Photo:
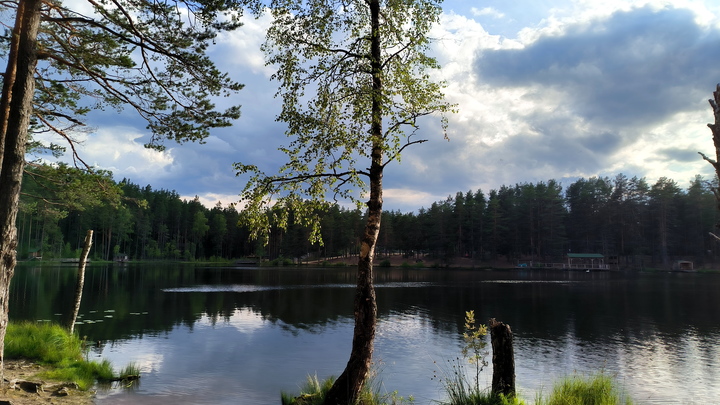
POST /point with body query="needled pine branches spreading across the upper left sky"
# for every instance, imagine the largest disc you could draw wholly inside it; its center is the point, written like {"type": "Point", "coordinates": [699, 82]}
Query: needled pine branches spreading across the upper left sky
{"type": "Point", "coordinates": [149, 56]}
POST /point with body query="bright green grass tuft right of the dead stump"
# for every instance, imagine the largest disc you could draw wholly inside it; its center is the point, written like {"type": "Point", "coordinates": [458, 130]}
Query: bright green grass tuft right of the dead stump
{"type": "Point", "coordinates": [599, 389]}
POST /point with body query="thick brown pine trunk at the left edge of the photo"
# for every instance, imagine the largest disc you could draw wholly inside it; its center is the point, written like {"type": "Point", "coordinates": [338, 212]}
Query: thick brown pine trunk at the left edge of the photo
{"type": "Point", "coordinates": [21, 64]}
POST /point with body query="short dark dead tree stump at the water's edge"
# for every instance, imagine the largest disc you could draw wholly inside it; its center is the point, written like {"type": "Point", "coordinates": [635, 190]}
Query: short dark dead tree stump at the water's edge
{"type": "Point", "coordinates": [503, 358]}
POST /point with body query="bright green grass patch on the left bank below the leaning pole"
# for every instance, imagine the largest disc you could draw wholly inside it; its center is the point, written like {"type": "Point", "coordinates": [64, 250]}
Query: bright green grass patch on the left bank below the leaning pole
{"type": "Point", "coordinates": [53, 346]}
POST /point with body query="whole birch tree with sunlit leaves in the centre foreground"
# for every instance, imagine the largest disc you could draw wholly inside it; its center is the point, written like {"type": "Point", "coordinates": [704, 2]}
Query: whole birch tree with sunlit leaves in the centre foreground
{"type": "Point", "coordinates": [354, 79]}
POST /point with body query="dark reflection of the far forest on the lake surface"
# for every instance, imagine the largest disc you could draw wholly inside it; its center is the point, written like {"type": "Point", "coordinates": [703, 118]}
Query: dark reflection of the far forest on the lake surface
{"type": "Point", "coordinates": [591, 307]}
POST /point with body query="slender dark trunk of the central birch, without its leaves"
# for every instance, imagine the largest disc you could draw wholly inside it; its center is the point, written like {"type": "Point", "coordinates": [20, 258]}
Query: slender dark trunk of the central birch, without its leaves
{"type": "Point", "coordinates": [351, 381]}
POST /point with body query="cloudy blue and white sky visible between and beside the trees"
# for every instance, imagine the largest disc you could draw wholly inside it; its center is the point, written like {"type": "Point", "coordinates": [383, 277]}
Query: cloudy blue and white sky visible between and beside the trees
{"type": "Point", "coordinates": [545, 90]}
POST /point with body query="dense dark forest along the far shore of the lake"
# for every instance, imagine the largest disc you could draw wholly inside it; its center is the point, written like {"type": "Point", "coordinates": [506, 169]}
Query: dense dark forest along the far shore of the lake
{"type": "Point", "coordinates": [640, 223]}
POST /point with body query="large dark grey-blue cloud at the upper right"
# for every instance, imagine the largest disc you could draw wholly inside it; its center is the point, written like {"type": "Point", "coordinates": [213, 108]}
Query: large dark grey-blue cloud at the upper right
{"type": "Point", "coordinates": [632, 68]}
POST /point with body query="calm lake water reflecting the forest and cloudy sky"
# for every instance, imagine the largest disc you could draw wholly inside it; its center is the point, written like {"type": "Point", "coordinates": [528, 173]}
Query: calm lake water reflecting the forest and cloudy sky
{"type": "Point", "coordinates": [221, 335]}
